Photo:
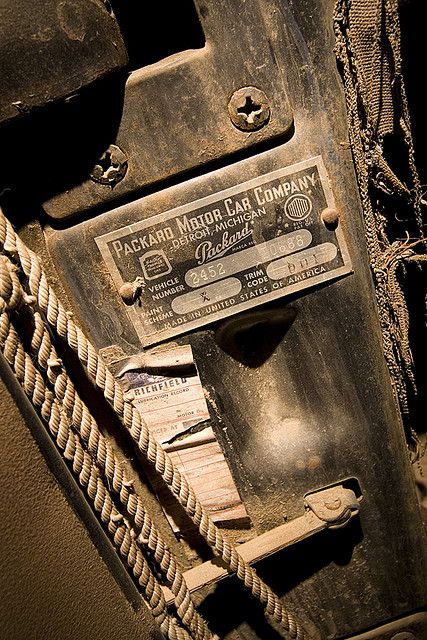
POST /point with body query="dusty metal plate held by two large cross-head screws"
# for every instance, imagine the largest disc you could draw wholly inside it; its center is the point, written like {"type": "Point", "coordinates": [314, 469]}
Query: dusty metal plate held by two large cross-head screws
{"type": "Point", "coordinates": [175, 114]}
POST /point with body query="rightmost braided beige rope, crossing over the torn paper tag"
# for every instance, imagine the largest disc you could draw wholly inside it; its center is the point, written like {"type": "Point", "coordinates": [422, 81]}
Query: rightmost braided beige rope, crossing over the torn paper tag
{"type": "Point", "coordinates": [63, 324]}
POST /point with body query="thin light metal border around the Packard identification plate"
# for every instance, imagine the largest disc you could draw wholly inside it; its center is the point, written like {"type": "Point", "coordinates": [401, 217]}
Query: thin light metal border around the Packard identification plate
{"type": "Point", "coordinates": [148, 339]}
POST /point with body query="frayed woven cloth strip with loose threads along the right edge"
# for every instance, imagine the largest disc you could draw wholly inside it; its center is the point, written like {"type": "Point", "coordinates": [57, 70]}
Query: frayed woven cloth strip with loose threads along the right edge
{"type": "Point", "coordinates": [368, 50]}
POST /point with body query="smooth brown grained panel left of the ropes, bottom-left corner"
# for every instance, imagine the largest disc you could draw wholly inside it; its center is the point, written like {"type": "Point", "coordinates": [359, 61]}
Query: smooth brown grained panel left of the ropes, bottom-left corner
{"type": "Point", "coordinates": [54, 585]}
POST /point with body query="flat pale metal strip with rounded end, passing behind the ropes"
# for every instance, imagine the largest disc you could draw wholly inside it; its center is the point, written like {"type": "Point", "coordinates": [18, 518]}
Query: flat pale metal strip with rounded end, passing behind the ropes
{"type": "Point", "coordinates": [330, 508]}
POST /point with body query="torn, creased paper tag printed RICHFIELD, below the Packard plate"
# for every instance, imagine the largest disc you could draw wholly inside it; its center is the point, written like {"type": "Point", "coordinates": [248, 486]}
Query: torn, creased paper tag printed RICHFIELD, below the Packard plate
{"type": "Point", "coordinates": [175, 410]}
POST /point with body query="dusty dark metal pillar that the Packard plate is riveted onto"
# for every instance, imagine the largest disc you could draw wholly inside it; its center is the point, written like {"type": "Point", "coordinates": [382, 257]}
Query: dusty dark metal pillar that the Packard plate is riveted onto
{"type": "Point", "coordinates": [298, 391]}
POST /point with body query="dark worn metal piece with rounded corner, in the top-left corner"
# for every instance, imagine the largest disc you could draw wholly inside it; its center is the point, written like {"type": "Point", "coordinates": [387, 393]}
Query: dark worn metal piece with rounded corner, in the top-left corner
{"type": "Point", "coordinates": [51, 48]}
